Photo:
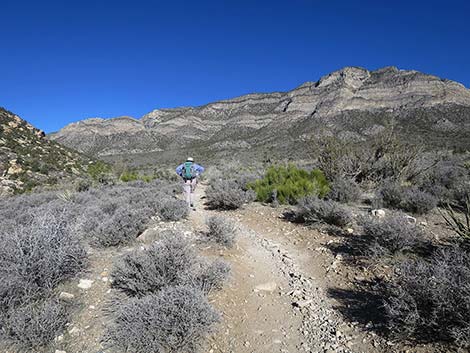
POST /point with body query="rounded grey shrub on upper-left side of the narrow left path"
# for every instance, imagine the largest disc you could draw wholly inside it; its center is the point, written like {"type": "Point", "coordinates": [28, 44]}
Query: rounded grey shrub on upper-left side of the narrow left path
{"type": "Point", "coordinates": [122, 227]}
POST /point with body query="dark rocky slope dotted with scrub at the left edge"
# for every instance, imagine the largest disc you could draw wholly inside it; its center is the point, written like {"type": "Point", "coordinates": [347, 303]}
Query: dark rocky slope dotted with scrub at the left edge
{"type": "Point", "coordinates": [28, 159]}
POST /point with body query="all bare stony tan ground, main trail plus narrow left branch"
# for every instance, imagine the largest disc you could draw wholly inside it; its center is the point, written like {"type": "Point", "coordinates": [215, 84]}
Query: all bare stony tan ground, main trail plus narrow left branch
{"type": "Point", "coordinates": [277, 299]}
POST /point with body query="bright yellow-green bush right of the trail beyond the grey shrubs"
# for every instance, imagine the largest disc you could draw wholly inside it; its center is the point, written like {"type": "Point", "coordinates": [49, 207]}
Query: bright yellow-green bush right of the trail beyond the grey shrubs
{"type": "Point", "coordinates": [289, 184]}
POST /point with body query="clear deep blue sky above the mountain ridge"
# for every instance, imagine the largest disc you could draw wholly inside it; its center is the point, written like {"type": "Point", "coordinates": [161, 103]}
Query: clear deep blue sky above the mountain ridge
{"type": "Point", "coordinates": [62, 61]}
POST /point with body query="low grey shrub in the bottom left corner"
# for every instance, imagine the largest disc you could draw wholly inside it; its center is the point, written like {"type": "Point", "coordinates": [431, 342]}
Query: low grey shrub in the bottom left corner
{"type": "Point", "coordinates": [34, 324]}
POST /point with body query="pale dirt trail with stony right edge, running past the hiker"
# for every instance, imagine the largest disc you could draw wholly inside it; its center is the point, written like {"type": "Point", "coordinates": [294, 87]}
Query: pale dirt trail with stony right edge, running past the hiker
{"type": "Point", "coordinates": [292, 312]}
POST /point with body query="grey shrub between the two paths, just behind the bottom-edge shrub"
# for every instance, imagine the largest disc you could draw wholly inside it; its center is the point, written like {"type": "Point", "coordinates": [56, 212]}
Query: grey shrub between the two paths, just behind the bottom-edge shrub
{"type": "Point", "coordinates": [169, 261]}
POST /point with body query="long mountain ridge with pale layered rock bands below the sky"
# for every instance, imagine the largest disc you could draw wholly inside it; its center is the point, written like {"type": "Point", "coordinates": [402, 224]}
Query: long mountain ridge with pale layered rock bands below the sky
{"type": "Point", "coordinates": [352, 103]}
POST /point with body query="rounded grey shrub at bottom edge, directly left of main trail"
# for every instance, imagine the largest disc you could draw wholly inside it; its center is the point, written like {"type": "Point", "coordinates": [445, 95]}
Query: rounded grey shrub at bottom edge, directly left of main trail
{"type": "Point", "coordinates": [175, 319]}
